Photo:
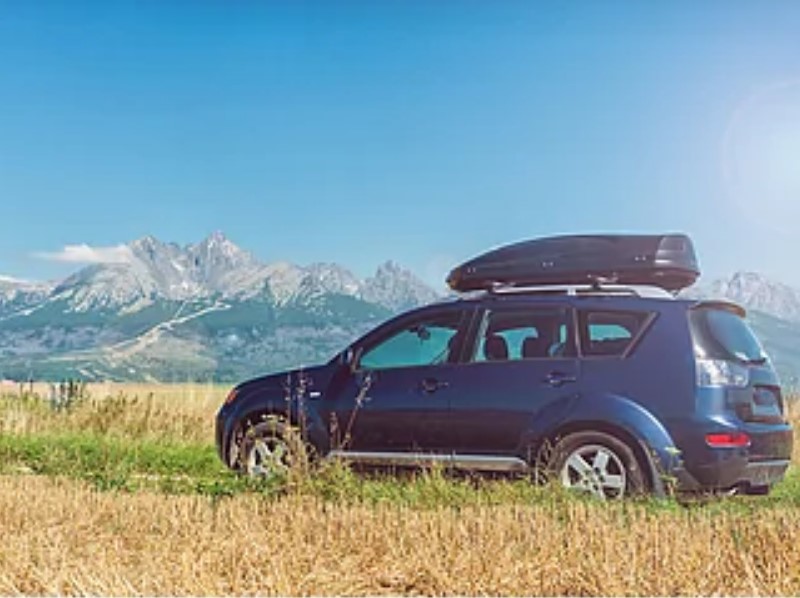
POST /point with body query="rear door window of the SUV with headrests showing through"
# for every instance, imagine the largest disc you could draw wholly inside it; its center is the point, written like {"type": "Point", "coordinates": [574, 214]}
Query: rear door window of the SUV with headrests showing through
{"type": "Point", "coordinates": [509, 334]}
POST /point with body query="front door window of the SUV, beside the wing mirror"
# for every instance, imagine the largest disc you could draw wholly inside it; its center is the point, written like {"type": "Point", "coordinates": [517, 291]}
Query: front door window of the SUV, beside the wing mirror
{"type": "Point", "coordinates": [425, 341]}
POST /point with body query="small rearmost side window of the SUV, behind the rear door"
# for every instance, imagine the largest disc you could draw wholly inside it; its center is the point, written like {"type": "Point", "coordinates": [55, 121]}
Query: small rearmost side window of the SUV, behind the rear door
{"type": "Point", "coordinates": [609, 333]}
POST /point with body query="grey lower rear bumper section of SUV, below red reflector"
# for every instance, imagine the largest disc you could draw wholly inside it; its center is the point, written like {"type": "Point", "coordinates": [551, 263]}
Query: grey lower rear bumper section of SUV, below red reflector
{"type": "Point", "coordinates": [733, 474]}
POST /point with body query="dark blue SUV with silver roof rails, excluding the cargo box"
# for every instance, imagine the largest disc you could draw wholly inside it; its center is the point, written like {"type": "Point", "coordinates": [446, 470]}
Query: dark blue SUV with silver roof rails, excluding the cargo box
{"type": "Point", "coordinates": [614, 389]}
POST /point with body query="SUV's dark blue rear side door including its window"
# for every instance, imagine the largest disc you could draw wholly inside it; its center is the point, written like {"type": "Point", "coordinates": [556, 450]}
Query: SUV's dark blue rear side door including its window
{"type": "Point", "coordinates": [521, 359]}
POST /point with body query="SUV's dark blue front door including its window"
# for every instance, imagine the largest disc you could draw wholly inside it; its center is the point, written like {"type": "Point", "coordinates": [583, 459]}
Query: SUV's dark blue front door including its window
{"type": "Point", "coordinates": [398, 397]}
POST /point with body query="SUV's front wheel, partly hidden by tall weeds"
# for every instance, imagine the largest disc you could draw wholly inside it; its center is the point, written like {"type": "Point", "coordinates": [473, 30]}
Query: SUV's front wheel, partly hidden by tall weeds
{"type": "Point", "coordinates": [271, 449]}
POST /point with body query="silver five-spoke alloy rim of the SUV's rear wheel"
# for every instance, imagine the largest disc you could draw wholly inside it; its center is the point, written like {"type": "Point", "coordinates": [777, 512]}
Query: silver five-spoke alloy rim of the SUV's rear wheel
{"type": "Point", "coordinates": [595, 469]}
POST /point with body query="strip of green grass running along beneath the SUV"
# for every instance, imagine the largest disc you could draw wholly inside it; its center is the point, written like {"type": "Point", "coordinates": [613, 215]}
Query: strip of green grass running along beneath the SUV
{"type": "Point", "coordinates": [118, 464]}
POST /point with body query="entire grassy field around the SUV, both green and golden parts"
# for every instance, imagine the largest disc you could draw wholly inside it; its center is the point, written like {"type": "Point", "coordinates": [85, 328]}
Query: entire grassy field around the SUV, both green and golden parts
{"type": "Point", "coordinates": [123, 494]}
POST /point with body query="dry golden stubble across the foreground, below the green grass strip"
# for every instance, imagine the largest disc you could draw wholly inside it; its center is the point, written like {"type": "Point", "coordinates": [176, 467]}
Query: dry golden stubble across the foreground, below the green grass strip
{"type": "Point", "coordinates": [60, 538]}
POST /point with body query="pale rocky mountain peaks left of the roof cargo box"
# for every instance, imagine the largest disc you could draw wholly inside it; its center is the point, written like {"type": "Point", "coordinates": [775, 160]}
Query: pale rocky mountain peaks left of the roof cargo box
{"type": "Point", "coordinates": [217, 267]}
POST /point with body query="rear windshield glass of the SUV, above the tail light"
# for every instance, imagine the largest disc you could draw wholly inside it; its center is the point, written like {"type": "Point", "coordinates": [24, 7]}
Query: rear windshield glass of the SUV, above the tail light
{"type": "Point", "coordinates": [723, 334]}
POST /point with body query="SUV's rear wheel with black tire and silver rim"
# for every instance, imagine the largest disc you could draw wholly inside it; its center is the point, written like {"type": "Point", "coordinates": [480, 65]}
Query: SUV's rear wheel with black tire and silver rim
{"type": "Point", "coordinates": [598, 464]}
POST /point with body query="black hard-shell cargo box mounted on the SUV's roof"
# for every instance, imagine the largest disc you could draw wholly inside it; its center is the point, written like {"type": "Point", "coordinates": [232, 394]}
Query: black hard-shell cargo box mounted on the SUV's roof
{"type": "Point", "coordinates": [665, 261]}
